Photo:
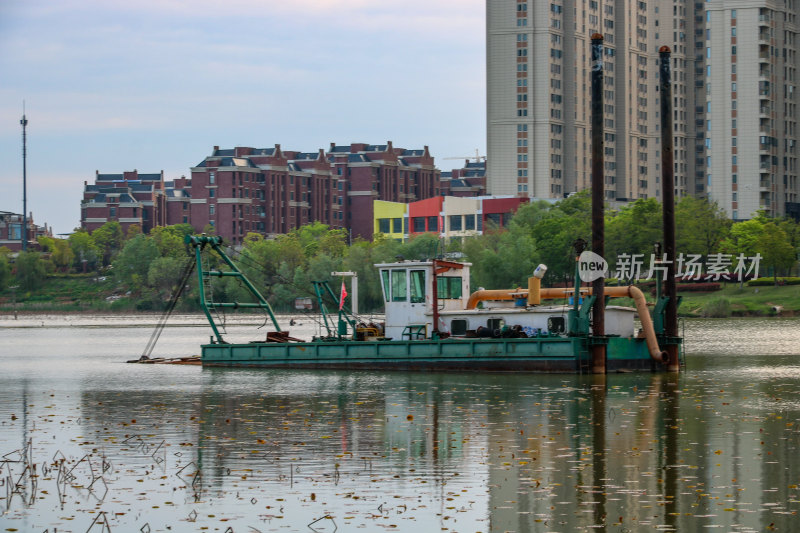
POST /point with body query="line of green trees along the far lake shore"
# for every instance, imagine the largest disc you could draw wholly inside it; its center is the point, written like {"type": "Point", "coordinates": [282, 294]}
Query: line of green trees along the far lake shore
{"type": "Point", "coordinates": [146, 268]}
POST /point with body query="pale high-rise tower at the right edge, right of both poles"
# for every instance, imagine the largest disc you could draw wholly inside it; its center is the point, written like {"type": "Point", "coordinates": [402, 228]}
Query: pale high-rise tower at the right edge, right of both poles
{"type": "Point", "coordinates": [752, 80]}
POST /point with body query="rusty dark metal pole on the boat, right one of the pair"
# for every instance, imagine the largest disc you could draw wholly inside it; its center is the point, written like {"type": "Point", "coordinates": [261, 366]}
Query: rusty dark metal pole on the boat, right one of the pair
{"type": "Point", "coordinates": [668, 203]}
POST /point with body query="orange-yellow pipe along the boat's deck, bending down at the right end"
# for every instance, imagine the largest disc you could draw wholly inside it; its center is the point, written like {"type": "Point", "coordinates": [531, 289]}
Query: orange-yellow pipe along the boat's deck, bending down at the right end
{"type": "Point", "coordinates": [615, 292]}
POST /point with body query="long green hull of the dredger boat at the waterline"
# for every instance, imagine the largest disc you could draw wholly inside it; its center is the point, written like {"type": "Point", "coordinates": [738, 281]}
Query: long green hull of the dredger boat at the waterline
{"type": "Point", "coordinates": [544, 354]}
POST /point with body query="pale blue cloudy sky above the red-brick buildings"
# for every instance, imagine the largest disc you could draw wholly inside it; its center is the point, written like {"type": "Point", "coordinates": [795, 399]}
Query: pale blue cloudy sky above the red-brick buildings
{"type": "Point", "coordinates": [114, 85]}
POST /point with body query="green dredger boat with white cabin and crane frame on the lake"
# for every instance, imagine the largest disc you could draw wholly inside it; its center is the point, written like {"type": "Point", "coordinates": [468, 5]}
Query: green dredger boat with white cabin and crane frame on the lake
{"type": "Point", "coordinates": [432, 322]}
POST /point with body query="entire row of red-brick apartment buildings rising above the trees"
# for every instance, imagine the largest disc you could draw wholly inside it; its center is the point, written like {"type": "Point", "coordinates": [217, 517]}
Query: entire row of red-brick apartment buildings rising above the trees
{"type": "Point", "coordinates": [267, 190]}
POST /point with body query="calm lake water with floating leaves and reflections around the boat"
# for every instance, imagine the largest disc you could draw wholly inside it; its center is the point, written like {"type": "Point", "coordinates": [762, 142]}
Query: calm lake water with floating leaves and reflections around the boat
{"type": "Point", "coordinates": [89, 443]}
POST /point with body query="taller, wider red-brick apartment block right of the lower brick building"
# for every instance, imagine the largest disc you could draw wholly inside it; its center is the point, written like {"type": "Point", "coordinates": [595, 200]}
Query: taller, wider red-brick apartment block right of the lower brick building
{"type": "Point", "coordinates": [272, 191]}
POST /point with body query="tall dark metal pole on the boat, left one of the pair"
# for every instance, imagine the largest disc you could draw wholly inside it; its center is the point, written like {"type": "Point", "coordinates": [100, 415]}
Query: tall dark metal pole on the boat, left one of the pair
{"type": "Point", "coordinates": [598, 198]}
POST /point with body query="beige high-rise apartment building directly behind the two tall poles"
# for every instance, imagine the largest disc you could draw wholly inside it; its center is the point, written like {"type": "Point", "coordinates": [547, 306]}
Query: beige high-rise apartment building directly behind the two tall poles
{"type": "Point", "coordinates": [538, 95]}
